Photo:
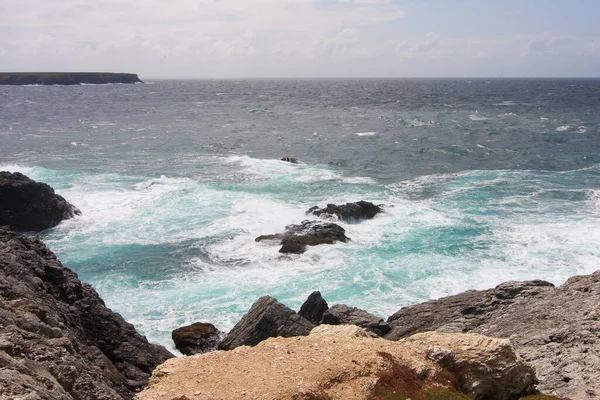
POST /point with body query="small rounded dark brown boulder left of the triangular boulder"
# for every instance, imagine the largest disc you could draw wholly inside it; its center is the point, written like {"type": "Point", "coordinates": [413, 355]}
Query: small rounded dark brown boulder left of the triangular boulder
{"type": "Point", "coordinates": [196, 338]}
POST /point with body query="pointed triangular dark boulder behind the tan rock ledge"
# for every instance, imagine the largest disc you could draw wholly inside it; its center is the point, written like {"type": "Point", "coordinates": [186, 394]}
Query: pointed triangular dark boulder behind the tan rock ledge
{"type": "Point", "coordinates": [266, 318]}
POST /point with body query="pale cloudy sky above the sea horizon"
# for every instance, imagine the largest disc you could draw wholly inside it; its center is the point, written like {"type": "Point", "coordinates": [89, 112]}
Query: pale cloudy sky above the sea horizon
{"type": "Point", "coordinates": [303, 38]}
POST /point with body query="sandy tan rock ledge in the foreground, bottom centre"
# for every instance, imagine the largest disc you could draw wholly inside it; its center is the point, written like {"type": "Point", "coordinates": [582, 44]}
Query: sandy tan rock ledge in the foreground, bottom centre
{"type": "Point", "coordinates": [343, 362]}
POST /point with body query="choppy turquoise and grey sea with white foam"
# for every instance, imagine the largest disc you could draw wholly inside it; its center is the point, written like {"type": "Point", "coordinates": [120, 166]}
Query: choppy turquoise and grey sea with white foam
{"type": "Point", "coordinates": [483, 181]}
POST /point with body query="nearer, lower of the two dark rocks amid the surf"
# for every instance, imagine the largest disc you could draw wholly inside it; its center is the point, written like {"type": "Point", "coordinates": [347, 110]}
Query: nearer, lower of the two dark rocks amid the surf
{"type": "Point", "coordinates": [308, 233]}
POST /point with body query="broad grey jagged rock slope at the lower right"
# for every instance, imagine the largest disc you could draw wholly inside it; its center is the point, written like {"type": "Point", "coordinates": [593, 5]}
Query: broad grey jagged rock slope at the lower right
{"type": "Point", "coordinates": [556, 330]}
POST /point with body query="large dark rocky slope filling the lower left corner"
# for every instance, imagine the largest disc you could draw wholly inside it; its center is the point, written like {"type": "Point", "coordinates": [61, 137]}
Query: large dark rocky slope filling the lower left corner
{"type": "Point", "coordinates": [57, 338]}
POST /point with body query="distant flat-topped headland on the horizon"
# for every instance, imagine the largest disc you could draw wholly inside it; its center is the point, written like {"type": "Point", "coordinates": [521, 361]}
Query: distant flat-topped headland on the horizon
{"type": "Point", "coordinates": [65, 78]}
